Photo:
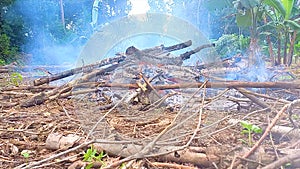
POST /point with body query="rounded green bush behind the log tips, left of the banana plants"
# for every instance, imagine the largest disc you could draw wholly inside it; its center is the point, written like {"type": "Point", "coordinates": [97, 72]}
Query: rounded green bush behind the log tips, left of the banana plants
{"type": "Point", "coordinates": [231, 44]}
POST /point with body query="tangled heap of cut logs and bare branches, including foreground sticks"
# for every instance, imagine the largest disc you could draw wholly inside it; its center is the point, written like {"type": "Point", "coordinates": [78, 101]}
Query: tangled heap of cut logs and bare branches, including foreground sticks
{"type": "Point", "coordinates": [95, 77]}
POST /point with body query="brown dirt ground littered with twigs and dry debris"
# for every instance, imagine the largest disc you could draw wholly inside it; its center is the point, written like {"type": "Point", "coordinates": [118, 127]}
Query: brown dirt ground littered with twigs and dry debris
{"type": "Point", "coordinates": [209, 124]}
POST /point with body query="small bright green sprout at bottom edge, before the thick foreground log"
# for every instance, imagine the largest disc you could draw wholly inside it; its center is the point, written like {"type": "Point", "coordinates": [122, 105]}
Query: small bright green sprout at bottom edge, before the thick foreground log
{"type": "Point", "coordinates": [91, 156]}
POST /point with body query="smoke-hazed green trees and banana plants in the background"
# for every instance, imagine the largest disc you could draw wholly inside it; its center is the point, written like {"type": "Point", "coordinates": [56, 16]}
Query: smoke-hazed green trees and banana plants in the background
{"type": "Point", "coordinates": [33, 26]}
